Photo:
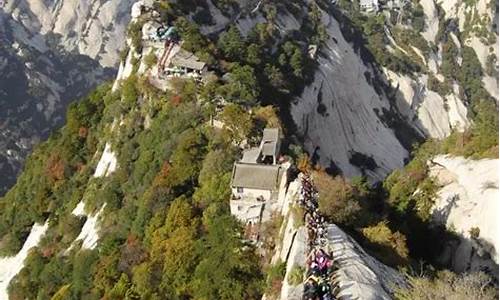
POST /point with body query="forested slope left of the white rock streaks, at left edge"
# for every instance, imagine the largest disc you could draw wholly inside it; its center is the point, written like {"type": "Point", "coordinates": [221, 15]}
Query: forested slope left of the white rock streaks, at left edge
{"type": "Point", "coordinates": [56, 167]}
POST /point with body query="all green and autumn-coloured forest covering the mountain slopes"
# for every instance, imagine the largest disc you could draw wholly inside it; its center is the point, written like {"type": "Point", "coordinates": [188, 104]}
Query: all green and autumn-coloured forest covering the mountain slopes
{"type": "Point", "coordinates": [166, 230]}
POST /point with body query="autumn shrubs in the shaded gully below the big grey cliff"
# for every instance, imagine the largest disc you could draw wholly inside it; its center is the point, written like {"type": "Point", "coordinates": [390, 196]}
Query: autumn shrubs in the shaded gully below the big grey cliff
{"type": "Point", "coordinates": [393, 220]}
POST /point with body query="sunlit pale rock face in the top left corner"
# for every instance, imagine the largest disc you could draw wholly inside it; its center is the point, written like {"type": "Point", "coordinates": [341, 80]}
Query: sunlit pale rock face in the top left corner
{"type": "Point", "coordinates": [93, 28]}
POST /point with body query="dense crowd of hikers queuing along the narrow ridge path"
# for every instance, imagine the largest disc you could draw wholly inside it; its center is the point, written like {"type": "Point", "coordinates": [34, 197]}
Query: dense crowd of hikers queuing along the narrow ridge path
{"type": "Point", "coordinates": [320, 267]}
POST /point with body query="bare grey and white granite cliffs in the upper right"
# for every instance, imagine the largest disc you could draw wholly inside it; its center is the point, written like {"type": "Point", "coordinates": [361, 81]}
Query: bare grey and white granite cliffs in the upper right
{"type": "Point", "coordinates": [357, 120]}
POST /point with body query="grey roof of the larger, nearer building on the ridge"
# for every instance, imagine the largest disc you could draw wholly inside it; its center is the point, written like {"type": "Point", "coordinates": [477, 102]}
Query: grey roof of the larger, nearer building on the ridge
{"type": "Point", "coordinates": [264, 177]}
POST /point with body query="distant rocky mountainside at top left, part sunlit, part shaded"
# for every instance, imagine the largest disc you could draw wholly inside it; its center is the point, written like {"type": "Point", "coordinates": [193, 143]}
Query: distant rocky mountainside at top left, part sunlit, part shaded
{"type": "Point", "coordinates": [51, 53]}
